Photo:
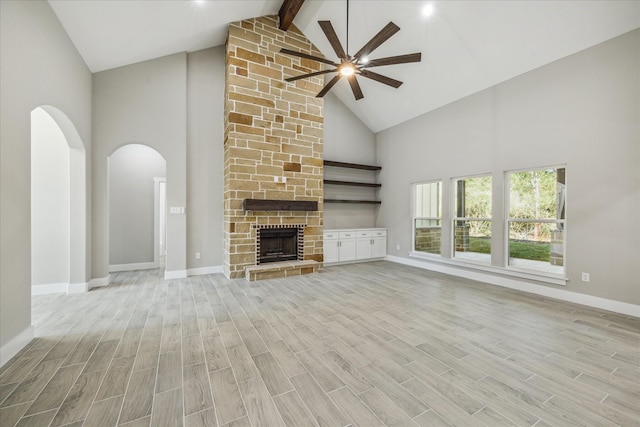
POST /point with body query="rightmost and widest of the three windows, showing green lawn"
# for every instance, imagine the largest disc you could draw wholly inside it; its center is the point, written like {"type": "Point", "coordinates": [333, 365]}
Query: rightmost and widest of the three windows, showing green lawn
{"type": "Point", "coordinates": [536, 222]}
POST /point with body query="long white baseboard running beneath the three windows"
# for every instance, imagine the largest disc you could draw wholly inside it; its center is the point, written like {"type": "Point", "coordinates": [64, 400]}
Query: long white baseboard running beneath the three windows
{"type": "Point", "coordinates": [561, 294]}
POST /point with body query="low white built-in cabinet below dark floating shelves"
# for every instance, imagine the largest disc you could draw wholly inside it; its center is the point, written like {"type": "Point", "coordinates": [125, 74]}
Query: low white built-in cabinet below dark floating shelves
{"type": "Point", "coordinates": [354, 244]}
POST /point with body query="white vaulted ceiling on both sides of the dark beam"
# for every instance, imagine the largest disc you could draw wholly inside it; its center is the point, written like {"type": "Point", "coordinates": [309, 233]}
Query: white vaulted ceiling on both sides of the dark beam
{"type": "Point", "coordinates": [466, 46]}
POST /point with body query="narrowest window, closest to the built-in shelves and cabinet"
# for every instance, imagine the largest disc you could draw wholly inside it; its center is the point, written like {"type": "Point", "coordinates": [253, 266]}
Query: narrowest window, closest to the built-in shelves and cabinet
{"type": "Point", "coordinates": [427, 217]}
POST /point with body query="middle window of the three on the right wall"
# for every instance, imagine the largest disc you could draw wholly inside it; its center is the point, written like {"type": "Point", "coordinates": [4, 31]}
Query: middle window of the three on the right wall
{"type": "Point", "coordinates": [472, 219]}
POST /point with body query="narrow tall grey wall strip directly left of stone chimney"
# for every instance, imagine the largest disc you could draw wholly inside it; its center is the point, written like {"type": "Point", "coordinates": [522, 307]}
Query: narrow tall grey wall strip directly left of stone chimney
{"type": "Point", "coordinates": [205, 157]}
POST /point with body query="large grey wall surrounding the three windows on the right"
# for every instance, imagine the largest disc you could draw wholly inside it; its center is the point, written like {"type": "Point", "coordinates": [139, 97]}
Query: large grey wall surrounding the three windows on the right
{"type": "Point", "coordinates": [582, 111]}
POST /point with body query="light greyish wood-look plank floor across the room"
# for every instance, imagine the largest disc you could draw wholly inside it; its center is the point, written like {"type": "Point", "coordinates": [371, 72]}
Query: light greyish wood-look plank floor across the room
{"type": "Point", "coordinates": [363, 345]}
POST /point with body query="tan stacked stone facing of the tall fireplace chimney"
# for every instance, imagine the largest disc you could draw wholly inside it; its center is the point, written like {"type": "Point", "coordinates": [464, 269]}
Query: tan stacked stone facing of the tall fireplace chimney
{"type": "Point", "coordinates": [273, 129]}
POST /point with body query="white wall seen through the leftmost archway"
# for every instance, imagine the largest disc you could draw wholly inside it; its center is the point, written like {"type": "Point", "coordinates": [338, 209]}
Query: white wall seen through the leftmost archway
{"type": "Point", "coordinates": [50, 201]}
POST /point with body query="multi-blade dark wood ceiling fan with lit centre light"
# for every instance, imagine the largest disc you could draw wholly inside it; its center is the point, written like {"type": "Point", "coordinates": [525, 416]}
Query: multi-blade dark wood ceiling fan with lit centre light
{"type": "Point", "coordinates": [358, 64]}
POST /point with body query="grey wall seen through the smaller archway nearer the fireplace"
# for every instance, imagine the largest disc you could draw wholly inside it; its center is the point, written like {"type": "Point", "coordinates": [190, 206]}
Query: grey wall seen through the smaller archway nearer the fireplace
{"type": "Point", "coordinates": [132, 169]}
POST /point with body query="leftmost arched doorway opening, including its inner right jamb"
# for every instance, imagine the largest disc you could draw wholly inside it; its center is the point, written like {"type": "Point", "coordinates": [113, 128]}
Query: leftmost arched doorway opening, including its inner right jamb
{"type": "Point", "coordinates": [58, 204]}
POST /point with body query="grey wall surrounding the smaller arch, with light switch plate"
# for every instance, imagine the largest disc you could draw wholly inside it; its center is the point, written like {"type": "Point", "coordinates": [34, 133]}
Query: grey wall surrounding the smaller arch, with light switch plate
{"type": "Point", "coordinates": [143, 103]}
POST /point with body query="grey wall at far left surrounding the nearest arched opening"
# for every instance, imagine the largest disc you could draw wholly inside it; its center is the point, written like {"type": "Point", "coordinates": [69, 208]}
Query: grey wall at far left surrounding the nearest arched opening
{"type": "Point", "coordinates": [30, 37]}
